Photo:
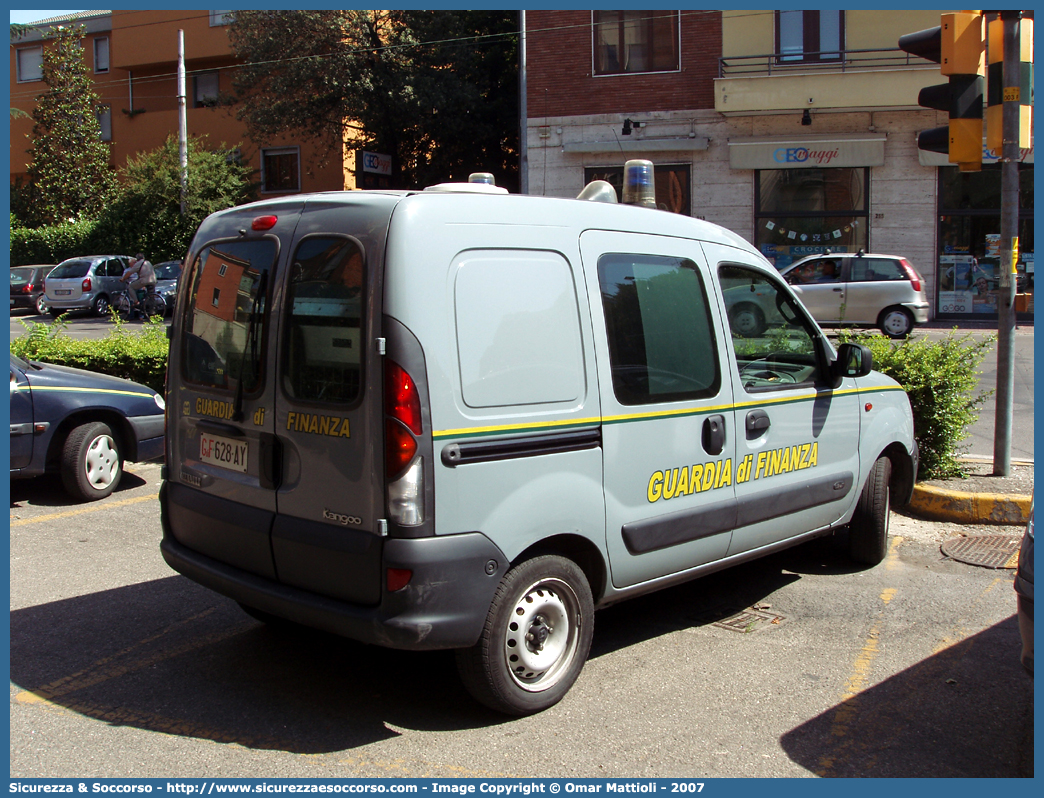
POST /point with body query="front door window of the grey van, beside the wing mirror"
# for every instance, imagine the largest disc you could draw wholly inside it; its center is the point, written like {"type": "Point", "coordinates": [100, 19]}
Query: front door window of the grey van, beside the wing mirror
{"type": "Point", "coordinates": [772, 338]}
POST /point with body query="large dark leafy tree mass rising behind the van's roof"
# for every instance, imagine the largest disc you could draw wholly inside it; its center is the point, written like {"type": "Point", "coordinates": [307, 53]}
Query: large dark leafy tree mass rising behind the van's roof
{"type": "Point", "coordinates": [439, 90]}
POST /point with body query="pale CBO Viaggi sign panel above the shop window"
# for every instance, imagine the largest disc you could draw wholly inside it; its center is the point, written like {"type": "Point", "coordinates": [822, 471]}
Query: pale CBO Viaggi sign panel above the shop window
{"type": "Point", "coordinates": [806, 153]}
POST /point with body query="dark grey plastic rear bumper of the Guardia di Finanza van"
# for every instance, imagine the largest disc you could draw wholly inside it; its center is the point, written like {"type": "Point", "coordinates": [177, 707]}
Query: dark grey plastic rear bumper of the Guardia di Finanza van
{"type": "Point", "coordinates": [444, 606]}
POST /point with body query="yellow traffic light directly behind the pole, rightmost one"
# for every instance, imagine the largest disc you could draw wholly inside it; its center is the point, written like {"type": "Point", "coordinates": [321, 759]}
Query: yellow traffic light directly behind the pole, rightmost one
{"type": "Point", "coordinates": [996, 90]}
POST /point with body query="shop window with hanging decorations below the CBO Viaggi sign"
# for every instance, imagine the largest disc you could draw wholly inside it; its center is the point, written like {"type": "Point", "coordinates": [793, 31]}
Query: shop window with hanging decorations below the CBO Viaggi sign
{"type": "Point", "coordinates": [801, 213]}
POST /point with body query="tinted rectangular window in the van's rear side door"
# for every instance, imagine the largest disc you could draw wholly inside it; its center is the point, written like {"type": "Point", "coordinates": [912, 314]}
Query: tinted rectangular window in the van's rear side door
{"type": "Point", "coordinates": [661, 338]}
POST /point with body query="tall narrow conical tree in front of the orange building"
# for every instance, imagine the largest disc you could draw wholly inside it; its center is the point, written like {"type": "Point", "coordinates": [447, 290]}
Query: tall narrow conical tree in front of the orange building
{"type": "Point", "coordinates": [69, 162]}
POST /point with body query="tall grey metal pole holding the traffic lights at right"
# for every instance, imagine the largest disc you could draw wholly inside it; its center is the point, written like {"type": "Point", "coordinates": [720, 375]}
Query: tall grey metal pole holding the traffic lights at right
{"type": "Point", "coordinates": [1009, 234]}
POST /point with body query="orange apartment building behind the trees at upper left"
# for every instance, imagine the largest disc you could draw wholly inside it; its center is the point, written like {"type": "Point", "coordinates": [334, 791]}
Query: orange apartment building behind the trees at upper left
{"type": "Point", "coordinates": [133, 57]}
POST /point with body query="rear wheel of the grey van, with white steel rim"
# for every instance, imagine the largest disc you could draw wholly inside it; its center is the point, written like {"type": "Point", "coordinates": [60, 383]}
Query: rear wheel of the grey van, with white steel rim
{"type": "Point", "coordinates": [536, 640]}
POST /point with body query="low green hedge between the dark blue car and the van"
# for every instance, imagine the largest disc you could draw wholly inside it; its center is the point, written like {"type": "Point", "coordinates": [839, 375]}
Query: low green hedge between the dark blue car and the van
{"type": "Point", "coordinates": [137, 356]}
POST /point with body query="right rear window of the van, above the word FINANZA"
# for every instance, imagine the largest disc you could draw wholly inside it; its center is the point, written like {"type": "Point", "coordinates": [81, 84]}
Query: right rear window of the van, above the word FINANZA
{"type": "Point", "coordinates": [322, 360]}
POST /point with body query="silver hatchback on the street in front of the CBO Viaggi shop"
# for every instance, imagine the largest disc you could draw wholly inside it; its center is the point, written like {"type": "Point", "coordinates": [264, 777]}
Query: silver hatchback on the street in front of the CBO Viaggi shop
{"type": "Point", "coordinates": [880, 291]}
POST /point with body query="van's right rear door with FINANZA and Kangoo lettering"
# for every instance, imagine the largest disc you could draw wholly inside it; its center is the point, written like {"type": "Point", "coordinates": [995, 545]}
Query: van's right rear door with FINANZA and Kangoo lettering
{"type": "Point", "coordinates": [328, 414]}
